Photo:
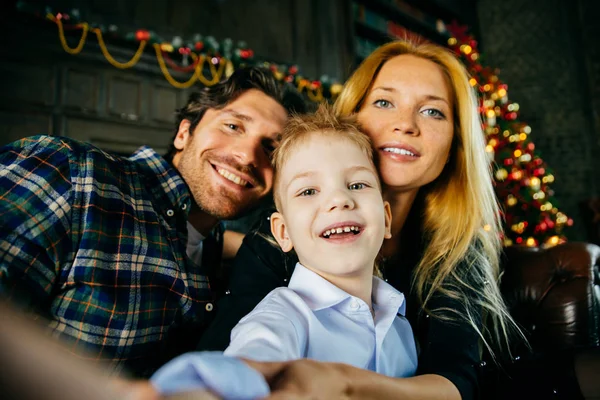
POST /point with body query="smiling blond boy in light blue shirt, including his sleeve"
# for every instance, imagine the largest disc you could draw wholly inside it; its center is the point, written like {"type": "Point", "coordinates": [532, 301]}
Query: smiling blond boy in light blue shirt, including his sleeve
{"type": "Point", "coordinates": [331, 212]}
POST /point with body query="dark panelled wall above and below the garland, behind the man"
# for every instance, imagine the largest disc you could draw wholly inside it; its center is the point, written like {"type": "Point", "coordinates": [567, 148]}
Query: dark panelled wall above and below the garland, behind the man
{"type": "Point", "coordinates": [47, 91]}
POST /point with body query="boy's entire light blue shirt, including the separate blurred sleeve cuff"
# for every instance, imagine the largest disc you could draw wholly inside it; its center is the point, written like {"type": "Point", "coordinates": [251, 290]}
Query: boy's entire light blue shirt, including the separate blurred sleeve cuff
{"type": "Point", "coordinates": [311, 318]}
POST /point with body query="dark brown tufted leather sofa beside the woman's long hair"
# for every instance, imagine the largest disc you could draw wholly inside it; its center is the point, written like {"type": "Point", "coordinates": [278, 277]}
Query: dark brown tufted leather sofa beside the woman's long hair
{"type": "Point", "coordinates": [554, 295]}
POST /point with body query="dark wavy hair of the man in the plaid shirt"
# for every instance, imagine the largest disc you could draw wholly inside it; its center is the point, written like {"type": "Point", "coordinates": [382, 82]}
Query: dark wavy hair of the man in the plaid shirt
{"type": "Point", "coordinates": [220, 95]}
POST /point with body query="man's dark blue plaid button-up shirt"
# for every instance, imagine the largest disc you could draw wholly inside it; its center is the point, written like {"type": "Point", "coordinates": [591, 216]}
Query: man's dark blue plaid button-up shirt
{"type": "Point", "coordinates": [96, 243]}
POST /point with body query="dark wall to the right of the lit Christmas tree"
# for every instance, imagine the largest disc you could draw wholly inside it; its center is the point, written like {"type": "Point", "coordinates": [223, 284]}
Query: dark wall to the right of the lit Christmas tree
{"type": "Point", "coordinates": [547, 53]}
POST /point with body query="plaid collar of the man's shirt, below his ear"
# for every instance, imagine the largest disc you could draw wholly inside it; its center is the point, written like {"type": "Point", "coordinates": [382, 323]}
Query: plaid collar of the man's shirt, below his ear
{"type": "Point", "coordinates": [163, 177]}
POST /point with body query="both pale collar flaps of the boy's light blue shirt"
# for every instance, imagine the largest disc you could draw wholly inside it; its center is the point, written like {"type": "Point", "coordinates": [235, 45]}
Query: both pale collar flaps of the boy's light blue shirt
{"type": "Point", "coordinates": [319, 293]}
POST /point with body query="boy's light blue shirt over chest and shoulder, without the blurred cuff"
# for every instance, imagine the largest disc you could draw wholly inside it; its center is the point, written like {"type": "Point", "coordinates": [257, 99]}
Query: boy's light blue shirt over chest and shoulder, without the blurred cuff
{"type": "Point", "coordinates": [312, 318]}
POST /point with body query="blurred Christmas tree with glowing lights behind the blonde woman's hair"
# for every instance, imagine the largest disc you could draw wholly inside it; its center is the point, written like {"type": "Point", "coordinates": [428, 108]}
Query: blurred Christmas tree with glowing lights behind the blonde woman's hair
{"type": "Point", "coordinates": [521, 178]}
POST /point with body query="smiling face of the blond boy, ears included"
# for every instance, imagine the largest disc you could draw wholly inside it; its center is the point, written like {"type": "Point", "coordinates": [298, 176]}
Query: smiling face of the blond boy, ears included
{"type": "Point", "coordinates": [332, 210]}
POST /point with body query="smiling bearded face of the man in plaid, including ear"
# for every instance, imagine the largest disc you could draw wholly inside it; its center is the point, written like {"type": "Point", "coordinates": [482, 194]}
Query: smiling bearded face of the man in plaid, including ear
{"type": "Point", "coordinates": [226, 161]}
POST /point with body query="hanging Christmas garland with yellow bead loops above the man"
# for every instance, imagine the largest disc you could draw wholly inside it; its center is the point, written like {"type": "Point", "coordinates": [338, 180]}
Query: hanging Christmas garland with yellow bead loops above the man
{"type": "Point", "coordinates": [207, 55]}
